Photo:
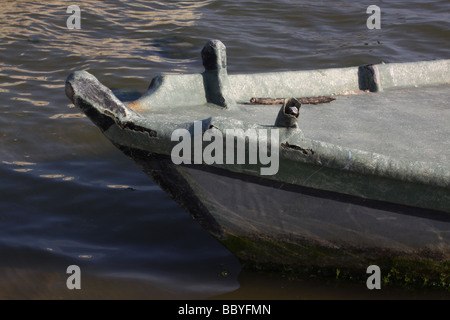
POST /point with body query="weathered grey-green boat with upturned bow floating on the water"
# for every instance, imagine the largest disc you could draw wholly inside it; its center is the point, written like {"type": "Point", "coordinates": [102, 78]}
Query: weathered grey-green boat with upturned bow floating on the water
{"type": "Point", "coordinates": [332, 169]}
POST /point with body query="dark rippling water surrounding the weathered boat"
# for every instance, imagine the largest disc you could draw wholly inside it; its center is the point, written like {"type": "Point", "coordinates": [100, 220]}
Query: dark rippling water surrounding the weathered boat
{"type": "Point", "coordinates": [68, 197]}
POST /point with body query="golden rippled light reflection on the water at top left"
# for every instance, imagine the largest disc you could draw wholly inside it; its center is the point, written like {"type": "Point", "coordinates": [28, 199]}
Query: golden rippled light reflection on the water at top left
{"type": "Point", "coordinates": [125, 30]}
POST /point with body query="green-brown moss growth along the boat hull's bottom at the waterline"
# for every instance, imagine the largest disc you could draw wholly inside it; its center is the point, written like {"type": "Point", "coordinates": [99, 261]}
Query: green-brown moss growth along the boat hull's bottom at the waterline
{"type": "Point", "coordinates": [296, 260]}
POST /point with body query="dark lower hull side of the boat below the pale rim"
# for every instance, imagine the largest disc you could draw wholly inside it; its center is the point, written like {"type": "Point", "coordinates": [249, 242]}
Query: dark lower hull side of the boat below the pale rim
{"type": "Point", "coordinates": [302, 231]}
